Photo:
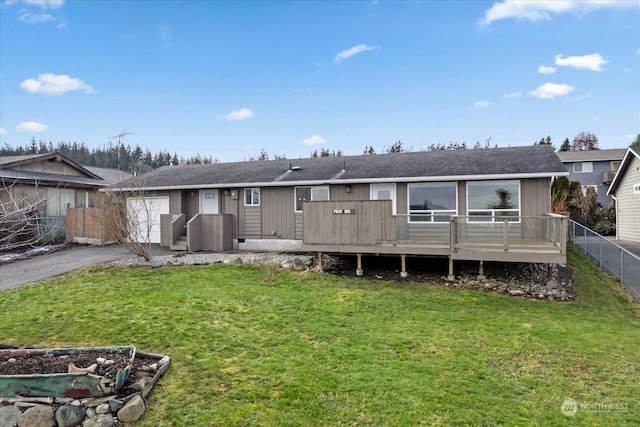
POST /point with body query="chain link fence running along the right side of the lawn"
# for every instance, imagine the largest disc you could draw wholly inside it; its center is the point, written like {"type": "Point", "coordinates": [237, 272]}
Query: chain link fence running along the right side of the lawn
{"type": "Point", "coordinates": [609, 256]}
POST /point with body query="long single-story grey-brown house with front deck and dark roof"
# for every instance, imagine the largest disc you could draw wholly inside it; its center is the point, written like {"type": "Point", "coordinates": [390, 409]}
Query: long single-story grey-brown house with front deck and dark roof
{"type": "Point", "coordinates": [434, 200]}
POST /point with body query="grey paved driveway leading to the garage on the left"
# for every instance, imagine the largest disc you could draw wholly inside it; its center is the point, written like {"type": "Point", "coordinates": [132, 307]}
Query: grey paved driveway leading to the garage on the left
{"type": "Point", "coordinates": [59, 262]}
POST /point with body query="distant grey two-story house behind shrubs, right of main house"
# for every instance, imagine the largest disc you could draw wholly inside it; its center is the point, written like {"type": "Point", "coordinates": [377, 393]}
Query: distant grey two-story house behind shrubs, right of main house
{"type": "Point", "coordinates": [593, 168]}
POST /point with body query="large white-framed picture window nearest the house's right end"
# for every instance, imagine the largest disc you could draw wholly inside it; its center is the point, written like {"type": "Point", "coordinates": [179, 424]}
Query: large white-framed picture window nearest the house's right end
{"type": "Point", "coordinates": [493, 201]}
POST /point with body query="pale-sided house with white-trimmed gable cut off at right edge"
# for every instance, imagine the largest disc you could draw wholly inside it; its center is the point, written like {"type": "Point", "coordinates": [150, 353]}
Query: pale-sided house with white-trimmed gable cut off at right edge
{"type": "Point", "coordinates": [625, 189]}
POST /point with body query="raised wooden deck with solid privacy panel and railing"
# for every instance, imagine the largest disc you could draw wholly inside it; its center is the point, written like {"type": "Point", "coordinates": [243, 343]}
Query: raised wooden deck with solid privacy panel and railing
{"type": "Point", "coordinates": [369, 228]}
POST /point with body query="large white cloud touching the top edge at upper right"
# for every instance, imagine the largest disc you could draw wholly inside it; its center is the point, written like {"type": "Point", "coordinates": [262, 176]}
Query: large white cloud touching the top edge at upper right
{"type": "Point", "coordinates": [542, 10]}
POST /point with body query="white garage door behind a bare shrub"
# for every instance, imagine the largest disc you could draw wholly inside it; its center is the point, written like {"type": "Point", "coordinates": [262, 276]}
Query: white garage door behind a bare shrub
{"type": "Point", "coordinates": [144, 217]}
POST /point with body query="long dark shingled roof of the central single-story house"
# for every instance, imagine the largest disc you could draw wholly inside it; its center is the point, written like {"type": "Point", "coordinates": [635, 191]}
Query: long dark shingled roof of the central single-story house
{"type": "Point", "coordinates": [442, 165]}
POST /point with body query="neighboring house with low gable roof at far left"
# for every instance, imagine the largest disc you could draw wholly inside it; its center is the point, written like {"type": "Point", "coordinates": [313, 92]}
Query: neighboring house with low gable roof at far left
{"type": "Point", "coordinates": [50, 183]}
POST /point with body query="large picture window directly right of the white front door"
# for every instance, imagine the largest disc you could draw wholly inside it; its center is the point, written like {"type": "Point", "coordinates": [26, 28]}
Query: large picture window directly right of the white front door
{"type": "Point", "coordinates": [432, 201]}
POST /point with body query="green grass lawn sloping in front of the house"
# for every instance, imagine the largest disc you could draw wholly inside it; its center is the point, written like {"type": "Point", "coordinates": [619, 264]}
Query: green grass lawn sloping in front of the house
{"type": "Point", "coordinates": [251, 346]}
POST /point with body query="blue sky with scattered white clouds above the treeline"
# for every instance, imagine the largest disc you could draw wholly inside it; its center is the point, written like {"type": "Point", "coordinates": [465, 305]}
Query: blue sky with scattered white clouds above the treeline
{"type": "Point", "coordinates": [228, 79]}
